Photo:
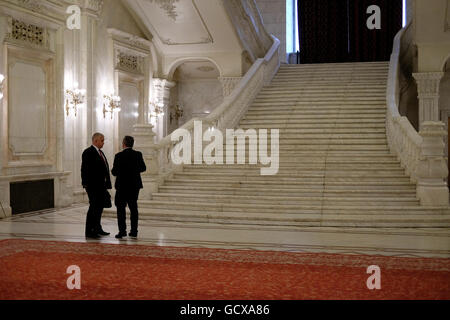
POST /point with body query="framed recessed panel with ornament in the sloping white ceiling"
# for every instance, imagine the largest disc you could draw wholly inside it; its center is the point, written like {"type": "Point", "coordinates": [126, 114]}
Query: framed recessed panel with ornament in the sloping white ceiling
{"type": "Point", "coordinates": [176, 22]}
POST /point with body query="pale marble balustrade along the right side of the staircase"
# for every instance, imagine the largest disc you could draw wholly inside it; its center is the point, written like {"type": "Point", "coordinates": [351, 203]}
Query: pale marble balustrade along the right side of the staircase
{"type": "Point", "coordinates": [404, 141]}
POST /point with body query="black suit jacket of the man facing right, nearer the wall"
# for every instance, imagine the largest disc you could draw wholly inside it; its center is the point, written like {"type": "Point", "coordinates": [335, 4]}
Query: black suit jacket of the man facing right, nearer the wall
{"type": "Point", "coordinates": [94, 171]}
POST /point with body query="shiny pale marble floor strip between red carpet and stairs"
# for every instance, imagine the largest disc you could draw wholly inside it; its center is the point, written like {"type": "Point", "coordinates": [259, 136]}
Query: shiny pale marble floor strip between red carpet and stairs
{"type": "Point", "coordinates": [68, 225]}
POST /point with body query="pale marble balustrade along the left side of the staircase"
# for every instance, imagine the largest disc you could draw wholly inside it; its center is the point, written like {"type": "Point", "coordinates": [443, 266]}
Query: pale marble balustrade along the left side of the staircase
{"type": "Point", "coordinates": [231, 110]}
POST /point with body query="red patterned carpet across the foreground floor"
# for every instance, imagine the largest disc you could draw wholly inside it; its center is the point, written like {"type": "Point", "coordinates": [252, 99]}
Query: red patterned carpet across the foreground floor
{"type": "Point", "coordinates": [37, 270]}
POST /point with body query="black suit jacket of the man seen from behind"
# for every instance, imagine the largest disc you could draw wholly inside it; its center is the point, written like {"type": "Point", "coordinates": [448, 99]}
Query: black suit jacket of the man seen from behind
{"type": "Point", "coordinates": [127, 167]}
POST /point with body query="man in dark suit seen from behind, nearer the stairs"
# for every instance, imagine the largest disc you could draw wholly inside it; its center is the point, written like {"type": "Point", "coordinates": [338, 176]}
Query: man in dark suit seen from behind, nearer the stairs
{"type": "Point", "coordinates": [127, 168]}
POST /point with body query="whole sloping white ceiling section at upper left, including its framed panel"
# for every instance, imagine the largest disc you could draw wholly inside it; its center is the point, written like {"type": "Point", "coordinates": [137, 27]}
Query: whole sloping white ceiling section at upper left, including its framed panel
{"type": "Point", "coordinates": [187, 26]}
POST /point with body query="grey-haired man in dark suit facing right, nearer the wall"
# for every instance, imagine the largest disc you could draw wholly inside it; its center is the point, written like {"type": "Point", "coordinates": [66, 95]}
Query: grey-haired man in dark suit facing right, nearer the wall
{"type": "Point", "coordinates": [96, 180]}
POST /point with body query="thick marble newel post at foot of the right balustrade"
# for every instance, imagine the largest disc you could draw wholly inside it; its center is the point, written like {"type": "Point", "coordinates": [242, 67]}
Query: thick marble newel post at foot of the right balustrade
{"type": "Point", "coordinates": [432, 169]}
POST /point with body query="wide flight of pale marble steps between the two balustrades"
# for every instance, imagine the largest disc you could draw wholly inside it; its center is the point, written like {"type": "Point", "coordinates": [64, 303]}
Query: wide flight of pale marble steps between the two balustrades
{"type": "Point", "coordinates": [335, 165]}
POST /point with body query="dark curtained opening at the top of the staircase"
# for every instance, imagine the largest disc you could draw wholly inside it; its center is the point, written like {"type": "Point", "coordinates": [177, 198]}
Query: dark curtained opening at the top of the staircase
{"type": "Point", "coordinates": [336, 30]}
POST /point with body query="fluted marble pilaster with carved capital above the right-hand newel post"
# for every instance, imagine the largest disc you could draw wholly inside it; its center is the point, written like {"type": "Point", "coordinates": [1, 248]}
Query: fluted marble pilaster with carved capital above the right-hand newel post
{"type": "Point", "coordinates": [428, 89]}
